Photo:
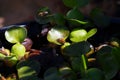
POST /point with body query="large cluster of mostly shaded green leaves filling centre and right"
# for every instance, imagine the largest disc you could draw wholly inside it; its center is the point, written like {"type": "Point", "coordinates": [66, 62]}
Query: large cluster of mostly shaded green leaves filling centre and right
{"type": "Point", "coordinates": [72, 32]}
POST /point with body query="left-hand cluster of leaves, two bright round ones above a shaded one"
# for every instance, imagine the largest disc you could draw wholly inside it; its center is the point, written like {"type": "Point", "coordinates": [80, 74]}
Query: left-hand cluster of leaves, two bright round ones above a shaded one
{"type": "Point", "coordinates": [26, 69]}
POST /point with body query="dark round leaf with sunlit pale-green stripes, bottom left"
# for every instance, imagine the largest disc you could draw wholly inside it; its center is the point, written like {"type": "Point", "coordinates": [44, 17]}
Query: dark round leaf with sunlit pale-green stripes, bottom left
{"type": "Point", "coordinates": [28, 70]}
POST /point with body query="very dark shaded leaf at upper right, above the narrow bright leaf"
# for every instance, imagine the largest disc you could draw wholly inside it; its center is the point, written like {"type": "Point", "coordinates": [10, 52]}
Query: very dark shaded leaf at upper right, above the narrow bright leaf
{"type": "Point", "coordinates": [99, 18]}
